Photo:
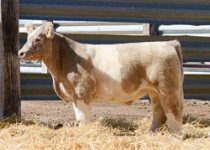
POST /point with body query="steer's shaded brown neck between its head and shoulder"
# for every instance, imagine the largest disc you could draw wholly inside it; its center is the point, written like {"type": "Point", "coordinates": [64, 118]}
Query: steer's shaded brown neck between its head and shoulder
{"type": "Point", "coordinates": [64, 57]}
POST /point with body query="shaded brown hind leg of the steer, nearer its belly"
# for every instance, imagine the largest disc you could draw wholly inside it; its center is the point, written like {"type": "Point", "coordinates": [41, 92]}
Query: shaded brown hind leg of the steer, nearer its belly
{"type": "Point", "coordinates": [159, 117]}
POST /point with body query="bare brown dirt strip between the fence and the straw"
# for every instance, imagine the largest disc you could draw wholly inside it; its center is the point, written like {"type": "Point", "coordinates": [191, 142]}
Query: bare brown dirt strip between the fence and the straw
{"type": "Point", "coordinates": [59, 112]}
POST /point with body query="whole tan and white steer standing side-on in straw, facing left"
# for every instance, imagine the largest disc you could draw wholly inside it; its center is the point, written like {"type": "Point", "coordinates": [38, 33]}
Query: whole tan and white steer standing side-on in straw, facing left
{"type": "Point", "coordinates": [111, 73]}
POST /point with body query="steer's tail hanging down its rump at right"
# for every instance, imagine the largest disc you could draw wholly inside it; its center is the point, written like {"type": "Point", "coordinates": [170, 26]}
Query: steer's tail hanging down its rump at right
{"type": "Point", "coordinates": [178, 48]}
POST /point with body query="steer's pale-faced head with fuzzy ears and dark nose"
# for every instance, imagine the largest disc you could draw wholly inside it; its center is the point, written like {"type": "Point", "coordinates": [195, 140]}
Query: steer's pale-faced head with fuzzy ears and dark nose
{"type": "Point", "coordinates": [39, 42]}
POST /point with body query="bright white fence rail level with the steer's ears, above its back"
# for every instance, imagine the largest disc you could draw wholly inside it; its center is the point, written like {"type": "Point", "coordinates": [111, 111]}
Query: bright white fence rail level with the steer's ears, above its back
{"type": "Point", "coordinates": [120, 28]}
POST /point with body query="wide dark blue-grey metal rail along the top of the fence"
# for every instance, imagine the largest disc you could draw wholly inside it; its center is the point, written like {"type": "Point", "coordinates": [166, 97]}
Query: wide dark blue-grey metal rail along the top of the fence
{"type": "Point", "coordinates": [151, 11]}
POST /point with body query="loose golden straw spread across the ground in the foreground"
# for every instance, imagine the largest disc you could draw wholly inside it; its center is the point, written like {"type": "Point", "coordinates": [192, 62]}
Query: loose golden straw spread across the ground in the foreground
{"type": "Point", "coordinates": [102, 134]}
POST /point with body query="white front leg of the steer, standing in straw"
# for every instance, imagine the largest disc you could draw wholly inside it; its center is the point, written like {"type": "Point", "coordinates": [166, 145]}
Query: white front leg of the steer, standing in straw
{"type": "Point", "coordinates": [82, 111]}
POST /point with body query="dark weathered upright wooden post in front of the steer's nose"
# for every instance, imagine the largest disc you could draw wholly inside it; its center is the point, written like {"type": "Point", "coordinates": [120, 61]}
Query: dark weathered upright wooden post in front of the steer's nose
{"type": "Point", "coordinates": [9, 62]}
